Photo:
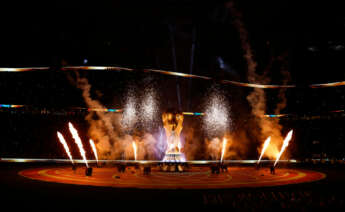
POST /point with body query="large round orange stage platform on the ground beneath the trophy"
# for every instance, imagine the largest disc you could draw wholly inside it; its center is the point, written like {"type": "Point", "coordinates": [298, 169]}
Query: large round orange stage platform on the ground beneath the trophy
{"type": "Point", "coordinates": [194, 178]}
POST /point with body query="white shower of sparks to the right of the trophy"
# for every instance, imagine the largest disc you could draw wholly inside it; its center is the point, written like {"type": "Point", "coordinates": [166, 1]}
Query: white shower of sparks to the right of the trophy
{"type": "Point", "coordinates": [216, 116]}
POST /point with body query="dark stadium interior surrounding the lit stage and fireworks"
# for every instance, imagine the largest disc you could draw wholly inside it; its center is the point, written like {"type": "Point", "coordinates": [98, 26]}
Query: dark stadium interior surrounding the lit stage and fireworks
{"type": "Point", "coordinates": [306, 40]}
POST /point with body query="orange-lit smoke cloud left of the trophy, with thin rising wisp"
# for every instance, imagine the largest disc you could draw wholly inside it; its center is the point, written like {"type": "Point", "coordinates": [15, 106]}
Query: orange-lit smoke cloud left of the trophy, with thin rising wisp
{"type": "Point", "coordinates": [106, 129]}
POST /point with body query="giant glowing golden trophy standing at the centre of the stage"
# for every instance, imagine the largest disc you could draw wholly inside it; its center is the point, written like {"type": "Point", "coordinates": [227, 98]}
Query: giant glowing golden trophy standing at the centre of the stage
{"type": "Point", "coordinates": [172, 121]}
